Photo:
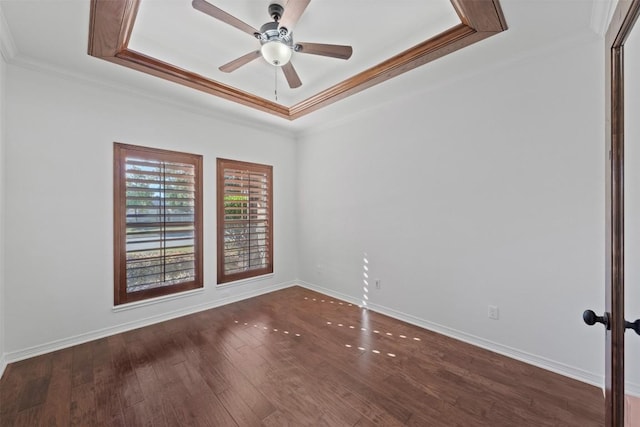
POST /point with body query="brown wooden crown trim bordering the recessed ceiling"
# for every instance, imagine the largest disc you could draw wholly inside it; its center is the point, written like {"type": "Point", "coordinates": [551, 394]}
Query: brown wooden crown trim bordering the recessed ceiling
{"type": "Point", "coordinates": [112, 21]}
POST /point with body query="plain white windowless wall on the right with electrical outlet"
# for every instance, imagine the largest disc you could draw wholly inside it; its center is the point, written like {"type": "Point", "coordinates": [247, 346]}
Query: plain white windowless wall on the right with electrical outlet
{"type": "Point", "coordinates": [487, 191]}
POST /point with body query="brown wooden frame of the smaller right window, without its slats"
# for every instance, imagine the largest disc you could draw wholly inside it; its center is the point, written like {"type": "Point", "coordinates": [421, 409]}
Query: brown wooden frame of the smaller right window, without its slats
{"type": "Point", "coordinates": [221, 165]}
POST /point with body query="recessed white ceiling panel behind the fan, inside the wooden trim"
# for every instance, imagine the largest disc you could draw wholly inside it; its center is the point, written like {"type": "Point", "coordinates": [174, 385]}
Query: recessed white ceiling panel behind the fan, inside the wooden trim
{"type": "Point", "coordinates": [174, 32]}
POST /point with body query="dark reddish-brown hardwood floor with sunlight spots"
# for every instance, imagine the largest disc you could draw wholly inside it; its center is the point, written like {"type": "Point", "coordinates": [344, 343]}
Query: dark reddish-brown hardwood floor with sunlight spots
{"type": "Point", "coordinates": [289, 358]}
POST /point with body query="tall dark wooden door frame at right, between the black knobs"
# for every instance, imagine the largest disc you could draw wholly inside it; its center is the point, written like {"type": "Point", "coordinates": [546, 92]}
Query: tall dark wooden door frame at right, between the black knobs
{"type": "Point", "coordinates": [622, 23]}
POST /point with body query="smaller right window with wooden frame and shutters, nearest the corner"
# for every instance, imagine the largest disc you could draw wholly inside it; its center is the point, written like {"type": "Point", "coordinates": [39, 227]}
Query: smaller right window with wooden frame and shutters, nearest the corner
{"type": "Point", "coordinates": [245, 220]}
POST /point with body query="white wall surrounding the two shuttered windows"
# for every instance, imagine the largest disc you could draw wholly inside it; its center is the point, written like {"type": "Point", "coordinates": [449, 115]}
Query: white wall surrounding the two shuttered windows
{"type": "Point", "coordinates": [59, 210]}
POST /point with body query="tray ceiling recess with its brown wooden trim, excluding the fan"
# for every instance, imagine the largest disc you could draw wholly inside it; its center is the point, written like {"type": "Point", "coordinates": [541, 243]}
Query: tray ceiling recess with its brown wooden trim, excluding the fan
{"type": "Point", "coordinates": [171, 40]}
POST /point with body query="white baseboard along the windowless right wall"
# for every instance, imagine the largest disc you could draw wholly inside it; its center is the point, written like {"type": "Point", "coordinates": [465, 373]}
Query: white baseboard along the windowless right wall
{"type": "Point", "coordinates": [532, 359]}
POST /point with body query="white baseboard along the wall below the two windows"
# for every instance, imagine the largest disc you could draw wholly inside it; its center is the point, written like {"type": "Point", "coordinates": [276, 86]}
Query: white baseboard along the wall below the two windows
{"type": "Point", "coordinates": [101, 333]}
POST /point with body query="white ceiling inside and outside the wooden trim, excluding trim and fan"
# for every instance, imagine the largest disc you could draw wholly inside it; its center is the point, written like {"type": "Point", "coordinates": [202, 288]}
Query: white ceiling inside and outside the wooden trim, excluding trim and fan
{"type": "Point", "coordinates": [54, 34]}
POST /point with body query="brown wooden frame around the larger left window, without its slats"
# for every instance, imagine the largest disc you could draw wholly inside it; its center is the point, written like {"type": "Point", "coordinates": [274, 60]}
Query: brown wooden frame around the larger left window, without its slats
{"type": "Point", "coordinates": [121, 296]}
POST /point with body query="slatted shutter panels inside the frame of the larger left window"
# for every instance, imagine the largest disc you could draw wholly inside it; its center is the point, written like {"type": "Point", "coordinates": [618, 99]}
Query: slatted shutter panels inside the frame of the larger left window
{"type": "Point", "coordinates": [160, 223]}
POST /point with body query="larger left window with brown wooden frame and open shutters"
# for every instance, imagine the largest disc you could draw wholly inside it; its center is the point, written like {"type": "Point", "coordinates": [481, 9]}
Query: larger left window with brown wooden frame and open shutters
{"type": "Point", "coordinates": [157, 222]}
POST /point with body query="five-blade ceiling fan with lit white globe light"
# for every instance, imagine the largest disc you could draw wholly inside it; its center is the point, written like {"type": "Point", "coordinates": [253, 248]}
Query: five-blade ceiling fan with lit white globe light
{"type": "Point", "coordinates": [276, 38]}
